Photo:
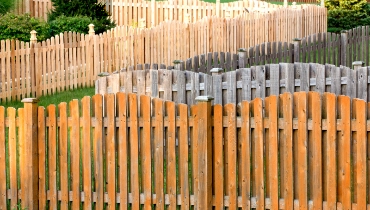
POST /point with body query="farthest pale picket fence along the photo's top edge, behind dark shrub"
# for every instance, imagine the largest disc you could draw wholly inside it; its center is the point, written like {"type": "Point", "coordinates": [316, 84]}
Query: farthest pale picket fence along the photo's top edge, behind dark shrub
{"type": "Point", "coordinates": [132, 12]}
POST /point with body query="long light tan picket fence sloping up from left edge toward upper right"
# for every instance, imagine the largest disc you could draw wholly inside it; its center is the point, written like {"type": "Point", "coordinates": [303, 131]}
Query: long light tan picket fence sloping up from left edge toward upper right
{"type": "Point", "coordinates": [73, 60]}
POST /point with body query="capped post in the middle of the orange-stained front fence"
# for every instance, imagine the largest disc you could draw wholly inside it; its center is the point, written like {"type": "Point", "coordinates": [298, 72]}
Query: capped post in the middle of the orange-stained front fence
{"type": "Point", "coordinates": [205, 156]}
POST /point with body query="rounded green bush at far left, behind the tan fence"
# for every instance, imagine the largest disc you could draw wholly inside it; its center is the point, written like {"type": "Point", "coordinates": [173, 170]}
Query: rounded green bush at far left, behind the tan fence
{"type": "Point", "coordinates": [19, 27]}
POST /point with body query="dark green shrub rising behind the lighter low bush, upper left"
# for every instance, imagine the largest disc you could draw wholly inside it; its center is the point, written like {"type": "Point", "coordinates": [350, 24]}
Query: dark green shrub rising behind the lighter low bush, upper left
{"type": "Point", "coordinates": [78, 8]}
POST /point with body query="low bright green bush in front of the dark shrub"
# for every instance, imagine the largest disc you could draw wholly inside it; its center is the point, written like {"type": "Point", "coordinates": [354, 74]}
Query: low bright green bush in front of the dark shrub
{"type": "Point", "coordinates": [77, 24]}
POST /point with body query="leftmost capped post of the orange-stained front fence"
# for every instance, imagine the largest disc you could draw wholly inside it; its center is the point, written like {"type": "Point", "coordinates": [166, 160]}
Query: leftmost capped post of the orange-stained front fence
{"type": "Point", "coordinates": [30, 161]}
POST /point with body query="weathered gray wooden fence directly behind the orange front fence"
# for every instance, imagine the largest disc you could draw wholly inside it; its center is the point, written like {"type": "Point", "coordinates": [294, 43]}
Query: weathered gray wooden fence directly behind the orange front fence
{"type": "Point", "coordinates": [242, 84]}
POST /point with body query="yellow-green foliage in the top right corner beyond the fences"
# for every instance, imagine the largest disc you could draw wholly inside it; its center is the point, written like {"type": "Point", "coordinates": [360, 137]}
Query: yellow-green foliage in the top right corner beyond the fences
{"type": "Point", "coordinates": [347, 14]}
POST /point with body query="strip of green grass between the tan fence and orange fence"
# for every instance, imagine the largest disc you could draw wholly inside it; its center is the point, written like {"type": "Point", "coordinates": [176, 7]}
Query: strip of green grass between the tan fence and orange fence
{"type": "Point", "coordinates": [56, 99]}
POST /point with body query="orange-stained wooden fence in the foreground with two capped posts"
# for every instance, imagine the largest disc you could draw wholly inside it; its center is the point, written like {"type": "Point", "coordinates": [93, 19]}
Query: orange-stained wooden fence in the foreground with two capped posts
{"type": "Point", "coordinates": [289, 151]}
